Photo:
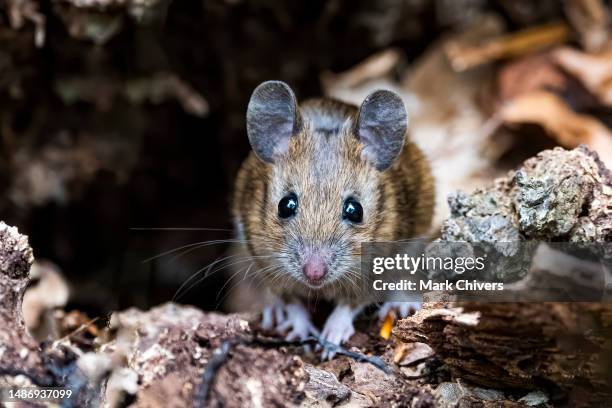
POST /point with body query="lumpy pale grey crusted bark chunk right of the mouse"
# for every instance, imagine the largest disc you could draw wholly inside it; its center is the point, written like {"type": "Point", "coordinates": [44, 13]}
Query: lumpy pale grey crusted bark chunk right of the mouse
{"type": "Point", "coordinates": [558, 193]}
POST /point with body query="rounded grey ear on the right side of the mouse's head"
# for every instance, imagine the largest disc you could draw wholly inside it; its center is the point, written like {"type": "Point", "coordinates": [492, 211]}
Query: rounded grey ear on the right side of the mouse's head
{"type": "Point", "coordinates": [381, 127]}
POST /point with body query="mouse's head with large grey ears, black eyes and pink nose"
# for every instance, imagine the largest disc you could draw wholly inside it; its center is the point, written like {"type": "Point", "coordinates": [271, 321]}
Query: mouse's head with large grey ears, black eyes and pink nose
{"type": "Point", "coordinates": [327, 163]}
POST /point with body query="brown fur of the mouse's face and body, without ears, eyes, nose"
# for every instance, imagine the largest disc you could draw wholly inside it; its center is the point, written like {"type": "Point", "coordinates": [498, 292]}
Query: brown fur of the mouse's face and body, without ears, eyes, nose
{"type": "Point", "coordinates": [324, 166]}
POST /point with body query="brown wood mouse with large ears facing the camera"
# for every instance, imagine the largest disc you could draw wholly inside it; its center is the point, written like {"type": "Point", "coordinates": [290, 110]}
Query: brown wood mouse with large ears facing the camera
{"type": "Point", "coordinates": [323, 177]}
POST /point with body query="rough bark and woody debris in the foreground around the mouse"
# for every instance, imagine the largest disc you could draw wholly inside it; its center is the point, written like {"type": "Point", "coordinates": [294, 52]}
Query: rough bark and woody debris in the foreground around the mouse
{"type": "Point", "coordinates": [506, 354]}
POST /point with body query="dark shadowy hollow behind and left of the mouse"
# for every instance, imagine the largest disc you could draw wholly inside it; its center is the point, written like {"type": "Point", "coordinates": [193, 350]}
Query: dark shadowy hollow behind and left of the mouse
{"type": "Point", "coordinates": [151, 163]}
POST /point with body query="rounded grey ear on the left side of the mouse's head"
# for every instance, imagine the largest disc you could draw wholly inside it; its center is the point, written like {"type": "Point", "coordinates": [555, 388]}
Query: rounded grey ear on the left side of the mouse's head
{"type": "Point", "coordinates": [272, 118]}
